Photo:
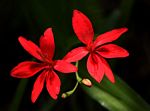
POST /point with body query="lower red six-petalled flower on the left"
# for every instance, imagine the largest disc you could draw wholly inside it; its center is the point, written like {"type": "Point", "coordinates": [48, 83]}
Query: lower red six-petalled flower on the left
{"type": "Point", "coordinates": [45, 54]}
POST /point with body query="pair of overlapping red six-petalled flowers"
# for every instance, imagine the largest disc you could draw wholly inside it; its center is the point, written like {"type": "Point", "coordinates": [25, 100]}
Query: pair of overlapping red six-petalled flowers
{"type": "Point", "coordinates": [96, 64]}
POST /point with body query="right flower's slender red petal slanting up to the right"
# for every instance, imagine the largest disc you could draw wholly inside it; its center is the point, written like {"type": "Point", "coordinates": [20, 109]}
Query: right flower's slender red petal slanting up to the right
{"type": "Point", "coordinates": [109, 36]}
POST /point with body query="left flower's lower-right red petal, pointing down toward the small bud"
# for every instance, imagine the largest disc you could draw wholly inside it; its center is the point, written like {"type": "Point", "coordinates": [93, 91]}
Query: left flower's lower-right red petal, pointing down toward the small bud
{"type": "Point", "coordinates": [53, 84]}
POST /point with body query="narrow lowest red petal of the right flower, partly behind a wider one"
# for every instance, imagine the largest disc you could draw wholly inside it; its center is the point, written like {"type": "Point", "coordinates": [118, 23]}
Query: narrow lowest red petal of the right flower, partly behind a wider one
{"type": "Point", "coordinates": [107, 70]}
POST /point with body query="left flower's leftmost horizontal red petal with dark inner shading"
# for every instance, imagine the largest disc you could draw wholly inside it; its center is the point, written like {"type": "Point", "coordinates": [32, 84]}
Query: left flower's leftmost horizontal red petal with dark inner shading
{"type": "Point", "coordinates": [26, 69]}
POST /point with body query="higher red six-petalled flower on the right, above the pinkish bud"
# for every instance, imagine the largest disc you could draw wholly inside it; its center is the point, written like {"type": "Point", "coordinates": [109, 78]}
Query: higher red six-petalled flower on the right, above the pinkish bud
{"type": "Point", "coordinates": [96, 64]}
